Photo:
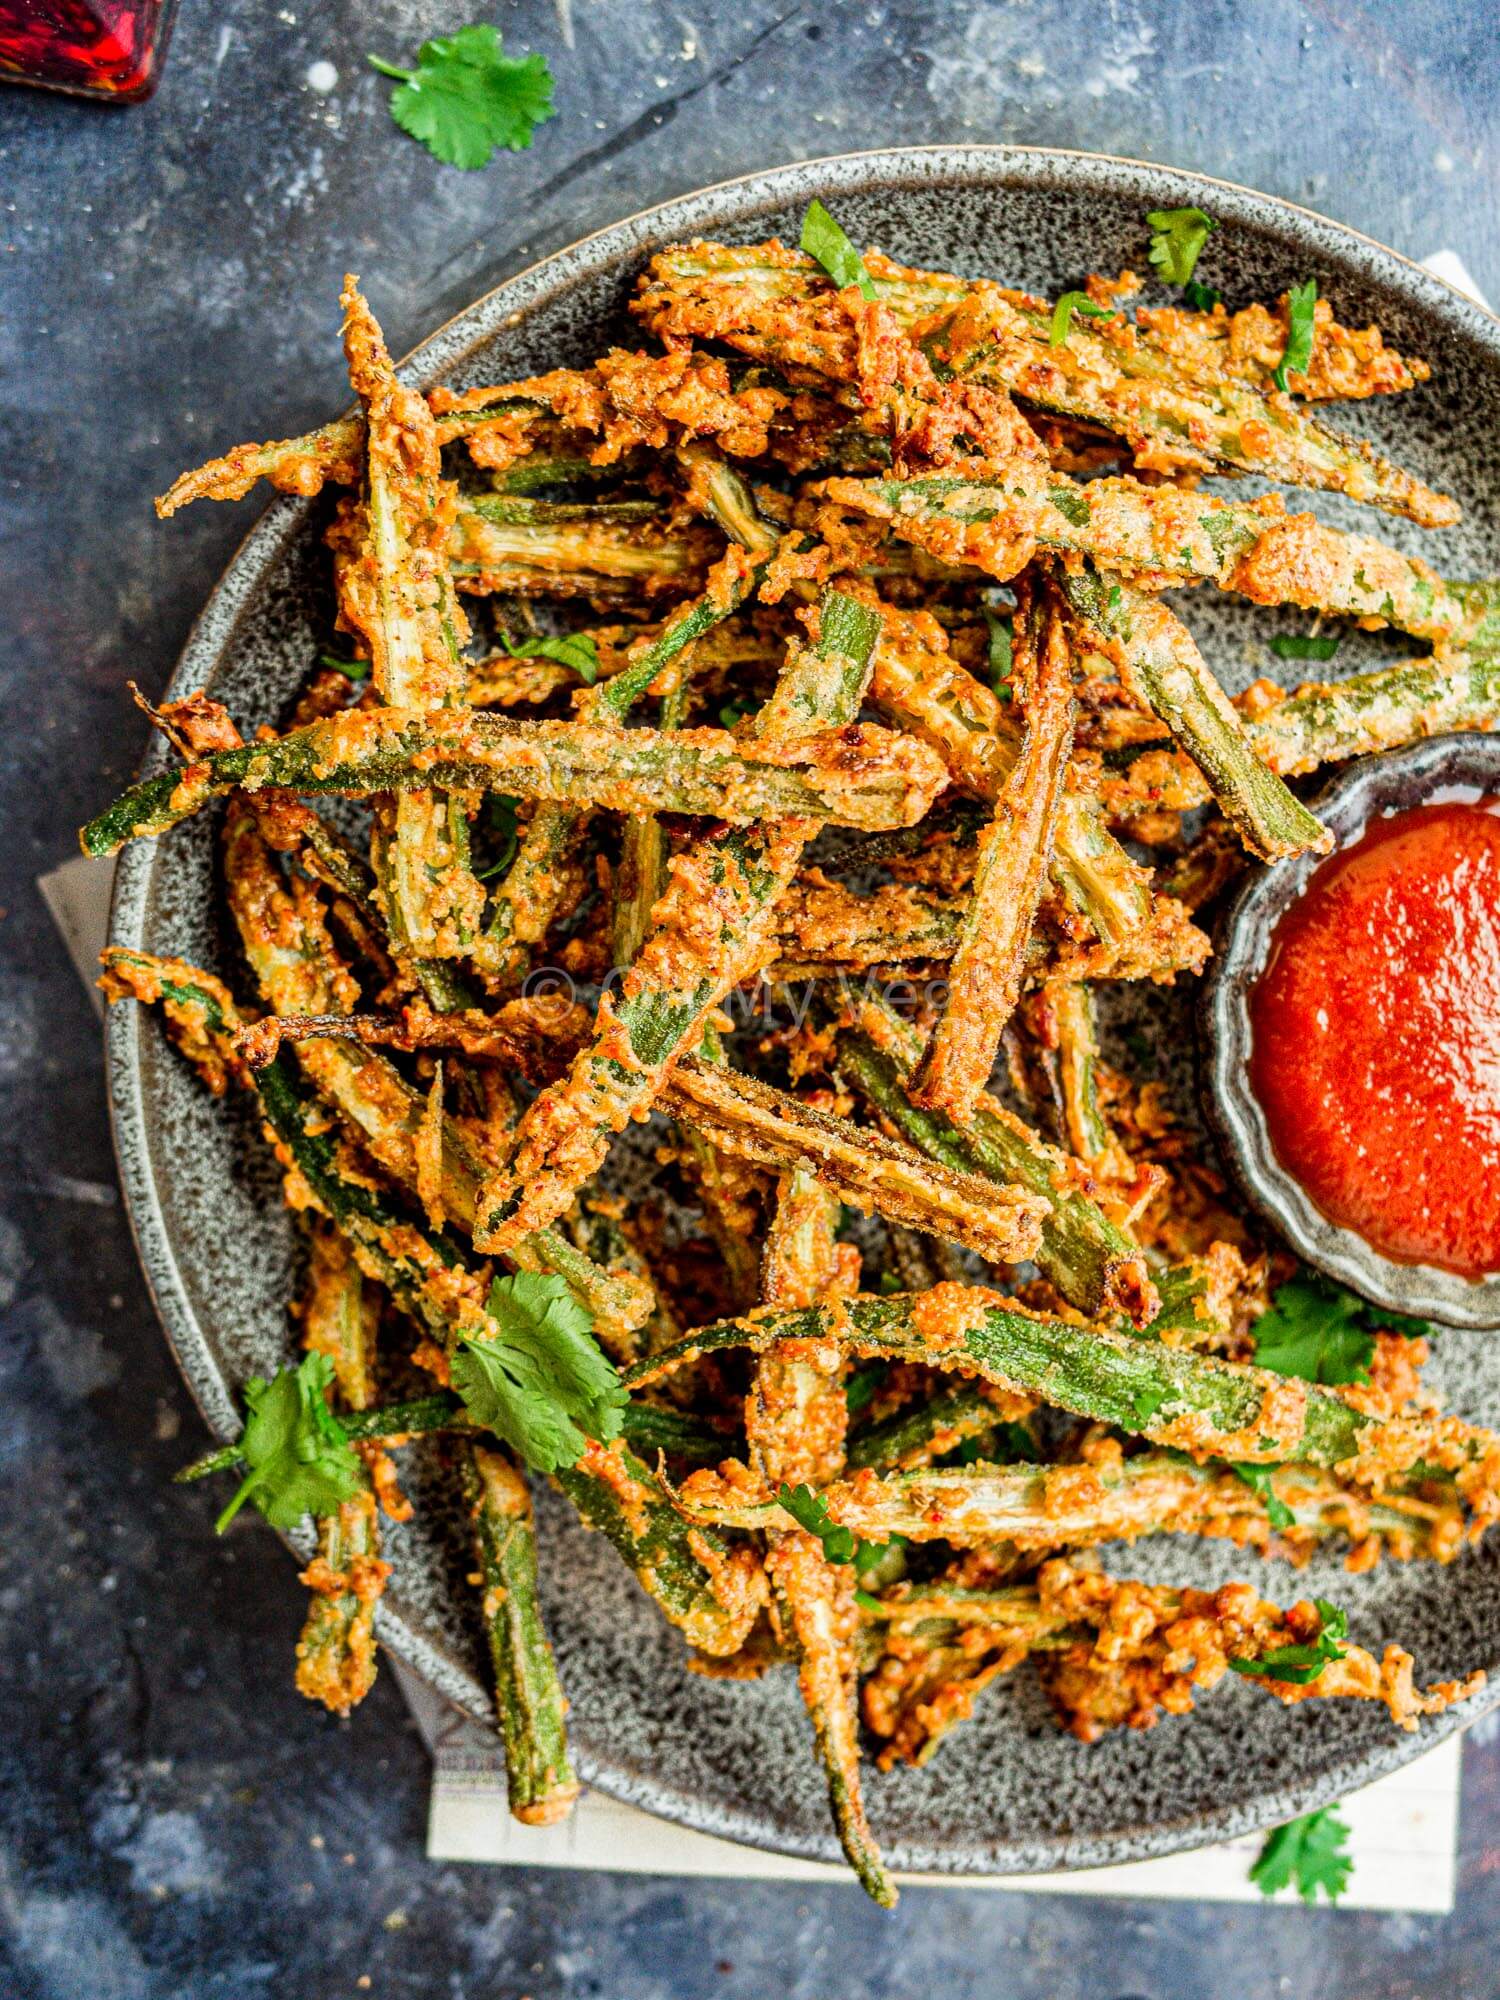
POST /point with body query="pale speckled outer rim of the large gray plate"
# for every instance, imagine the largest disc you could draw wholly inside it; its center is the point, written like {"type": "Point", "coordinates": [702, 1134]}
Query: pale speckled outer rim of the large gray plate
{"type": "Point", "coordinates": [213, 633]}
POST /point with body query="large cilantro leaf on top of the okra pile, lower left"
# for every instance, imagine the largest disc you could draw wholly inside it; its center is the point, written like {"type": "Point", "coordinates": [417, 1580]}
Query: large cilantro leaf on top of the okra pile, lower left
{"type": "Point", "coordinates": [539, 1379]}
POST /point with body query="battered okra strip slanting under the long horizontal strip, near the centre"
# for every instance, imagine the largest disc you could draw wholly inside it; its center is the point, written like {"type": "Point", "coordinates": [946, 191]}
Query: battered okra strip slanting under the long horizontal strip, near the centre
{"type": "Point", "coordinates": [711, 931]}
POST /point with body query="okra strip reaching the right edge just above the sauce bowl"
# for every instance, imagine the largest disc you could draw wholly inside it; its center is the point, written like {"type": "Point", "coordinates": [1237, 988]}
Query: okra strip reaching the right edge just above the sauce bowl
{"type": "Point", "coordinates": [1325, 723]}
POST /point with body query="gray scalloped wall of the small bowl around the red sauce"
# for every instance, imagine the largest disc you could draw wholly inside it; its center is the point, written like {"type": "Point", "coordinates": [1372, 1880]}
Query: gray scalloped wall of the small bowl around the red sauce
{"type": "Point", "coordinates": [1443, 767]}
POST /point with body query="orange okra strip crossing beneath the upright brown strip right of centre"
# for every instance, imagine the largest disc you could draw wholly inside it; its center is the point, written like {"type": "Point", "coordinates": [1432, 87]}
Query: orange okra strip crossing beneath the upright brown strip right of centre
{"type": "Point", "coordinates": [929, 691]}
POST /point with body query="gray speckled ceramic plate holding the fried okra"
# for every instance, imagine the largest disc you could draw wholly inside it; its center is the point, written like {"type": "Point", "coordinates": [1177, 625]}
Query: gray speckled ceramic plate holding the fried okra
{"type": "Point", "coordinates": [1009, 1791]}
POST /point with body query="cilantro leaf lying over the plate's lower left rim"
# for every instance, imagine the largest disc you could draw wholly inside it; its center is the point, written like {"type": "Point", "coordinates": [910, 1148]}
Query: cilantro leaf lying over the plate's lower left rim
{"type": "Point", "coordinates": [297, 1455]}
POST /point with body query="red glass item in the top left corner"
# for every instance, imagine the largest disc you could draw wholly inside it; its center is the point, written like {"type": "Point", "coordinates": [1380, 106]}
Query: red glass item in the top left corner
{"type": "Point", "coordinates": [97, 49]}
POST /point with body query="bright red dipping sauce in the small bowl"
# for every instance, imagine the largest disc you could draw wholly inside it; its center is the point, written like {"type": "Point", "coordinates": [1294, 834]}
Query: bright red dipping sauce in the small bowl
{"type": "Point", "coordinates": [1377, 1037]}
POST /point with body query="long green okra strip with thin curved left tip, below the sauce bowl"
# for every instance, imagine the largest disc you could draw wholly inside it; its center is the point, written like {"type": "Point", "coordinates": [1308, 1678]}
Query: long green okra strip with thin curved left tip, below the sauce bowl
{"type": "Point", "coordinates": [1173, 1397]}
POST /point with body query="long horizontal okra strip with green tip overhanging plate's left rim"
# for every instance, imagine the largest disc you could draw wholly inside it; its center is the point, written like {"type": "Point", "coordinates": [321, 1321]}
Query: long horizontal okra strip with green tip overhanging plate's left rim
{"type": "Point", "coordinates": [857, 777]}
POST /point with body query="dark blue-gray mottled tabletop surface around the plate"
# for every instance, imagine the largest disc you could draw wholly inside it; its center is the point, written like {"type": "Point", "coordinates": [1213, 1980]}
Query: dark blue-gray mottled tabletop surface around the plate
{"type": "Point", "coordinates": [175, 1819]}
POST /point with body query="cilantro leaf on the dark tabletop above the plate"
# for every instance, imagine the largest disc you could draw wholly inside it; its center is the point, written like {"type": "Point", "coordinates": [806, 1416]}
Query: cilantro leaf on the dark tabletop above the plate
{"type": "Point", "coordinates": [467, 99]}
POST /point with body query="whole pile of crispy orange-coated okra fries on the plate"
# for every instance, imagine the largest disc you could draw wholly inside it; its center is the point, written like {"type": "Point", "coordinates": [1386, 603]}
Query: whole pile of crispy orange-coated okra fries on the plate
{"type": "Point", "coordinates": [825, 655]}
